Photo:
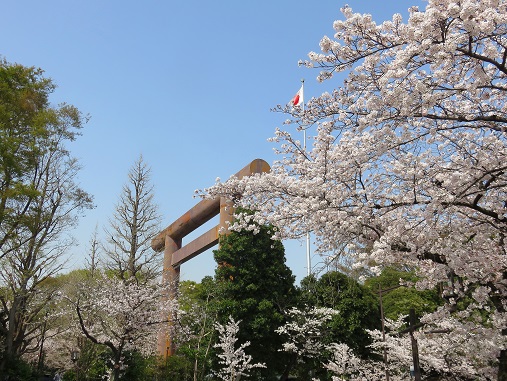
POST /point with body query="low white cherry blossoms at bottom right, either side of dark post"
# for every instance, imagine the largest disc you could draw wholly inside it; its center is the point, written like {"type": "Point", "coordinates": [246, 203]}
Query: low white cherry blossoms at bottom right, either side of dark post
{"type": "Point", "coordinates": [439, 354]}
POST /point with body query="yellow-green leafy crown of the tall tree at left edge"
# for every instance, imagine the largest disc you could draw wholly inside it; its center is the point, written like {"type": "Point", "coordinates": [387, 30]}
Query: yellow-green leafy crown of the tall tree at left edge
{"type": "Point", "coordinates": [30, 128]}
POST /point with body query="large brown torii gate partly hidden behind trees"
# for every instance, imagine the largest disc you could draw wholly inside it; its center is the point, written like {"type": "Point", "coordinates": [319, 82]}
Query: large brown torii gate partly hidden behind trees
{"type": "Point", "coordinates": [170, 239]}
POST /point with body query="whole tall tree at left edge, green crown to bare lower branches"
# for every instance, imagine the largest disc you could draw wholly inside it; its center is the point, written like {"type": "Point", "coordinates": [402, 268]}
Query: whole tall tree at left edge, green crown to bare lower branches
{"type": "Point", "coordinates": [39, 203]}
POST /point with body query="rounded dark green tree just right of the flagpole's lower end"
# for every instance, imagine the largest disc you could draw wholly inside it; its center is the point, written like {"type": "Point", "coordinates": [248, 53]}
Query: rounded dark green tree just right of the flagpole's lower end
{"type": "Point", "coordinates": [357, 306]}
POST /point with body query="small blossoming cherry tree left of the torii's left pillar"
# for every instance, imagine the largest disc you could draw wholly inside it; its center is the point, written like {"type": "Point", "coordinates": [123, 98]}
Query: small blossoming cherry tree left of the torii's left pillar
{"type": "Point", "coordinates": [122, 315]}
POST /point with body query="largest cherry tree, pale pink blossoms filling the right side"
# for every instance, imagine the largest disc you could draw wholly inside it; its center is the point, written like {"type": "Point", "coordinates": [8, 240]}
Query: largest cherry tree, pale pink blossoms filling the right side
{"type": "Point", "coordinates": [408, 156]}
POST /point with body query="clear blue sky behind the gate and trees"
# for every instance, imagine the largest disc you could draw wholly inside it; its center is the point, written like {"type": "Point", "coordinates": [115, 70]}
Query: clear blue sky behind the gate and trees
{"type": "Point", "coordinates": [188, 84]}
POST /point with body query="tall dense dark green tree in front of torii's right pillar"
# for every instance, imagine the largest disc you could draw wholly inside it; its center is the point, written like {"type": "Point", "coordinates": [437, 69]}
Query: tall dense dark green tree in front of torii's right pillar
{"type": "Point", "coordinates": [255, 286]}
